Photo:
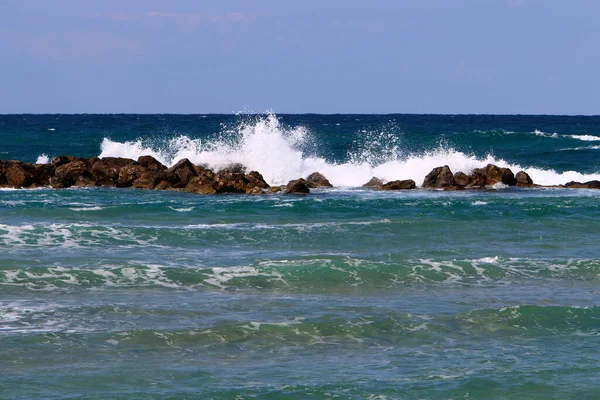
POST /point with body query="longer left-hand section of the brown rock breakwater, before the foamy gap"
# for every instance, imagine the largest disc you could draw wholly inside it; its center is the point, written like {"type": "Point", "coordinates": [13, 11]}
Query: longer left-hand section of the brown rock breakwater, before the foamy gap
{"type": "Point", "coordinates": [145, 173]}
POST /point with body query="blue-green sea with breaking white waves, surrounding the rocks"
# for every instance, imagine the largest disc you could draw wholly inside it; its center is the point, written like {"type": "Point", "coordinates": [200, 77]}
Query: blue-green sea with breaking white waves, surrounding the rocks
{"type": "Point", "coordinates": [344, 293]}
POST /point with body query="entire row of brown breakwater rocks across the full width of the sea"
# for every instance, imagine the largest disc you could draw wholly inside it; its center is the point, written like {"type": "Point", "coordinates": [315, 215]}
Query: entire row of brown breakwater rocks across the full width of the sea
{"type": "Point", "coordinates": [149, 173]}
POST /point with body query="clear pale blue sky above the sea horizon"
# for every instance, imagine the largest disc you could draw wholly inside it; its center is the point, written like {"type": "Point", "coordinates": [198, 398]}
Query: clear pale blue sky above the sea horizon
{"type": "Point", "coordinates": [310, 56]}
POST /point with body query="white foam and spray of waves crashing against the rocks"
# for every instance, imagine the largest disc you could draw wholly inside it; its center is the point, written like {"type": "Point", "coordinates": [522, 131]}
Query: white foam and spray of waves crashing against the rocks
{"type": "Point", "coordinates": [282, 153]}
